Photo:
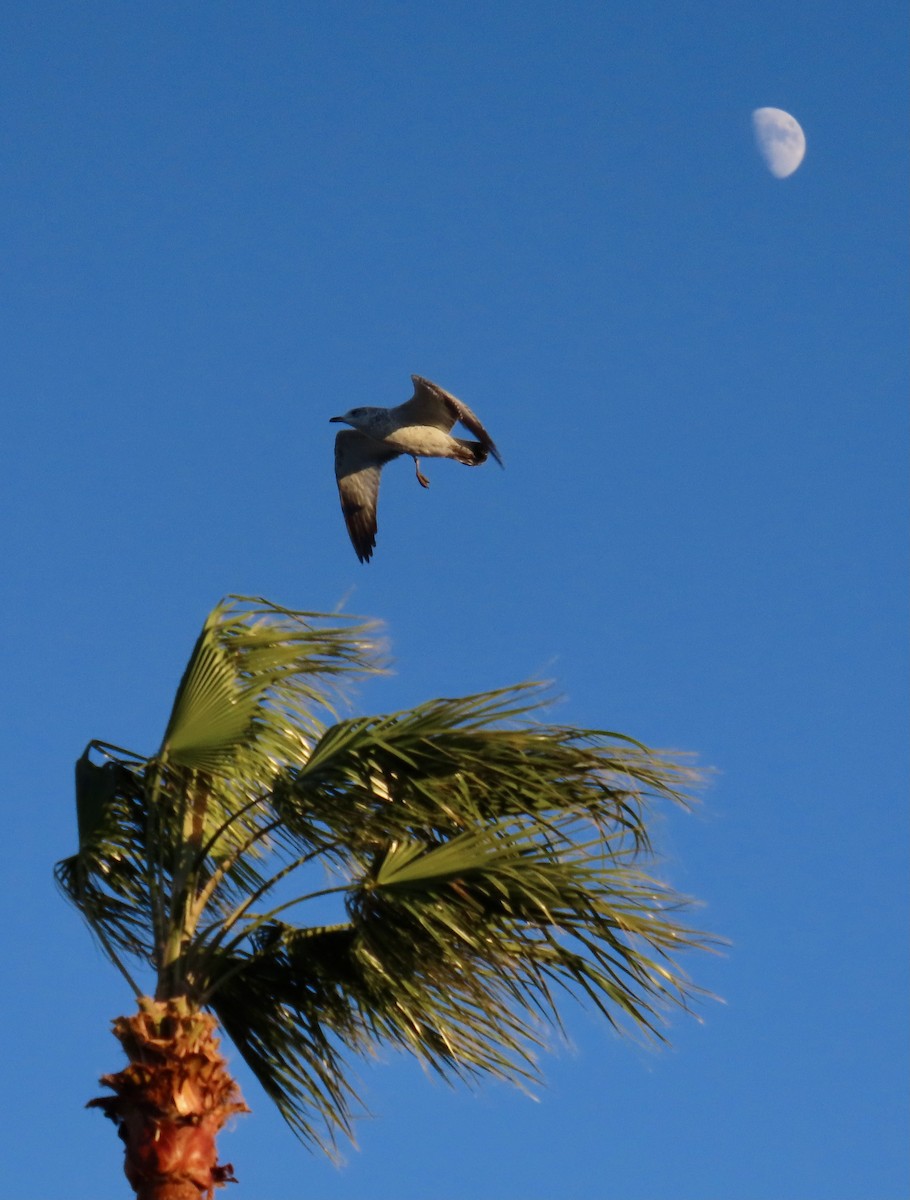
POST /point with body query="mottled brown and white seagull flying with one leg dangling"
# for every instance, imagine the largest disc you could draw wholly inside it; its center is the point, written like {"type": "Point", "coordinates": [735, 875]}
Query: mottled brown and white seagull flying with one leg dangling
{"type": "Point", "coordinates": [420, 428]}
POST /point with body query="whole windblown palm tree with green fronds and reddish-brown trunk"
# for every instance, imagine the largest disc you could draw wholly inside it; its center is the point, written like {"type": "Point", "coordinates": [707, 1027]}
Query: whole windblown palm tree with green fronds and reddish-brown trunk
{"type": "Point", "coordinates": [459, 865]}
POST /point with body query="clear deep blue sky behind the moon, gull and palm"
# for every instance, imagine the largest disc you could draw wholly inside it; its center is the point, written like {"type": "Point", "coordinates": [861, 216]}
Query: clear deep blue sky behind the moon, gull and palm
{"type": "Point", "coordinates": [223, 224]}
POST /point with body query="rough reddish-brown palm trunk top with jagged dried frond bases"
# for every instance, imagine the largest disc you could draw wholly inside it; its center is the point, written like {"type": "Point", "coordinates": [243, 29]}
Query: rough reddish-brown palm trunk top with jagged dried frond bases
{"type": "Point", "coordinates": [171, 1101]}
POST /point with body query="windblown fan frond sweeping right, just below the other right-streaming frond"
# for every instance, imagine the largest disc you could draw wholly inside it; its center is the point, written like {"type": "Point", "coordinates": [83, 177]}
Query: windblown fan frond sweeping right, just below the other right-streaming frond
{"type": "Point", "coordinates": [525, 914]}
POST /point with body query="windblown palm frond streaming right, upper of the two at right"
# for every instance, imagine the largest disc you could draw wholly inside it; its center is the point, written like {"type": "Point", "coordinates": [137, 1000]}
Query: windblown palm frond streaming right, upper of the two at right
{"type": "Point", "coordinates": [440, 769]}
